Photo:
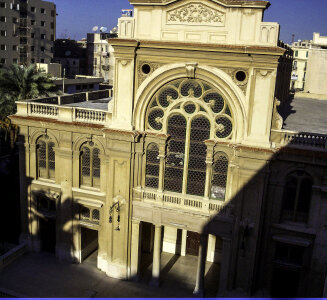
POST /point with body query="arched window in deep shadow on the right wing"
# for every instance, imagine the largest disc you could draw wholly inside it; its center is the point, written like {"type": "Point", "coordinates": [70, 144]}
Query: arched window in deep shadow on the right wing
{"type": "Point", "coordinates": [297, 197]}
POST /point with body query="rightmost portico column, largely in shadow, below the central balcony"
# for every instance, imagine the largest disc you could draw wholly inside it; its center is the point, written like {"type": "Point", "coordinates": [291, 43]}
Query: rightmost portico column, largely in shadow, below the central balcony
{"type": "Point", "coordinates": [199, 285]}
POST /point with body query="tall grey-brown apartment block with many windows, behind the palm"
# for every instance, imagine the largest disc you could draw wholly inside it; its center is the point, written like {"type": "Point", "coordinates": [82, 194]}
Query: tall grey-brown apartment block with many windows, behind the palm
{"type": "Point", "coordinates": [27, 29]}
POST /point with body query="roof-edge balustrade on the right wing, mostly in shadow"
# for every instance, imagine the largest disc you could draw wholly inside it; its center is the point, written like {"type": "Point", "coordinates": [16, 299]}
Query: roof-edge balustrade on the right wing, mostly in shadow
{"type": "Point", "coordinates": [300, 139]}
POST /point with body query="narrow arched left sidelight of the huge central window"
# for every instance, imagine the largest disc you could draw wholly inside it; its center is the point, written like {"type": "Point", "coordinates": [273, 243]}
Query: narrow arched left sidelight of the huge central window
{"type": "Point", "coordinates": [152, 166]}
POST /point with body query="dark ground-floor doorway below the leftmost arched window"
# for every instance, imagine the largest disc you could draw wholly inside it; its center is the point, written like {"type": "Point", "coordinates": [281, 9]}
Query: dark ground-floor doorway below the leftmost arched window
{"type": "Point", "coordinates": [48, 235]}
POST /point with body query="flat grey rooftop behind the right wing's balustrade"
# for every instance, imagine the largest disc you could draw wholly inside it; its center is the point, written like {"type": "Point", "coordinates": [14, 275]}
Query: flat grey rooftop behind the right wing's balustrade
{"type": "Point", "coordinates": [305, 115]}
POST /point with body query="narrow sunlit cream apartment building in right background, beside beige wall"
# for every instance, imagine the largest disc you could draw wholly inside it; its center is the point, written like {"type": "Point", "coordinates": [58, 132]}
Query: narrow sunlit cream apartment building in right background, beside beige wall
{"type": "Point", "coordinates": [300, 64]}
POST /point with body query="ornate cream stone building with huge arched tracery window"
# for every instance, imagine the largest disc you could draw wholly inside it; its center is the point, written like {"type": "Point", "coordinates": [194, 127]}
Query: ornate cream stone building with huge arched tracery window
{"type": "Point", "coordinates": [186, 158]}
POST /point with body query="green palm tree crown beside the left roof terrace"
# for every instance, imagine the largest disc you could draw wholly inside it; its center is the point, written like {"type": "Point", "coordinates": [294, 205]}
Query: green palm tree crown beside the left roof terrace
{"type": "Point", "coordinates": [20, 82]}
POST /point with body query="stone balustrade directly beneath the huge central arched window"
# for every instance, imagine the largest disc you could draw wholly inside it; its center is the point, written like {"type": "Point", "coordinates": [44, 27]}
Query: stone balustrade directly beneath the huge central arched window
{"type": "Point", "coordinates": [196, 204]}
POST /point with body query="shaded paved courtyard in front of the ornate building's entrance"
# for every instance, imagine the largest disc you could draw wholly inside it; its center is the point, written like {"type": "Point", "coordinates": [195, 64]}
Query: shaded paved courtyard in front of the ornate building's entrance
{"type": "Point", "coordinates": [42, 275]}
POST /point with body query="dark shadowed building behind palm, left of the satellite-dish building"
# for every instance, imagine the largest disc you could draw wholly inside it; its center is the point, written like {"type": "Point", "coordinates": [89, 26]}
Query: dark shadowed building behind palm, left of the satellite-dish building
{"type": "Point", "coordinates": [72, 56]}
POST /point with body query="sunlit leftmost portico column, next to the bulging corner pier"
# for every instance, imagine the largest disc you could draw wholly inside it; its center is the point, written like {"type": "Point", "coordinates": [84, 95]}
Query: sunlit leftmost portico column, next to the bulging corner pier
{"type": "Point", "coordinates": [135, 250]}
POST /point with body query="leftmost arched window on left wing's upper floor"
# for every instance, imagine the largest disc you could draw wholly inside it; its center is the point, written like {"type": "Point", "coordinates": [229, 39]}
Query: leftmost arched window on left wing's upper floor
{"type": "Point", "coordinates": [46, 160]}
